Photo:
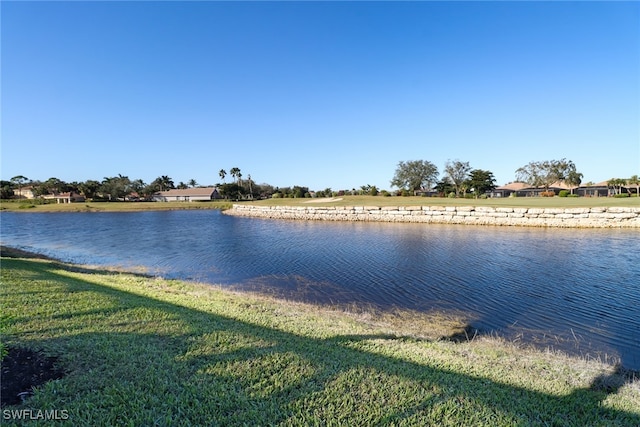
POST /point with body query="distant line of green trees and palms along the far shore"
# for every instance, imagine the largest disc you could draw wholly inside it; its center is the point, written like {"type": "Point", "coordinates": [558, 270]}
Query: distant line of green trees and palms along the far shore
{"type": "Point", "coordinates": [458, 179]}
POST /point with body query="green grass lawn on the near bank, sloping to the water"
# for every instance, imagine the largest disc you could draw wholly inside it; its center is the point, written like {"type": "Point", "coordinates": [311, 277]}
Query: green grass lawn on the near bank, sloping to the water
{"type": "Point", "coordinates": [147, 351]}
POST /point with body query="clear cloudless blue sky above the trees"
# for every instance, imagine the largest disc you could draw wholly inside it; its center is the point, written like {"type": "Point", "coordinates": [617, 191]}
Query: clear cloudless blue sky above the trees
{"type": "Point", "coordinates": [317, 94]}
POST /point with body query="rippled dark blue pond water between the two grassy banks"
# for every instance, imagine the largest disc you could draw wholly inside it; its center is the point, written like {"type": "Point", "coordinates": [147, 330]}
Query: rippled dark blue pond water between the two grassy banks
{"type": "Point", "coordinates": [577, 290]}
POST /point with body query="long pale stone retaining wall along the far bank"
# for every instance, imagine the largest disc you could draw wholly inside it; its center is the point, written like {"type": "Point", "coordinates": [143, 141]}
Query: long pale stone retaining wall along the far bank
{"type": "Point", "coordinates": [600, 217]}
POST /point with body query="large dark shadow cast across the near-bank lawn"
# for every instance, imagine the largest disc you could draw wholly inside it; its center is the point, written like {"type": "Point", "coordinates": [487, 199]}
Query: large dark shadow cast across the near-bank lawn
{"type": "Point", "coordinates": [178, 365]}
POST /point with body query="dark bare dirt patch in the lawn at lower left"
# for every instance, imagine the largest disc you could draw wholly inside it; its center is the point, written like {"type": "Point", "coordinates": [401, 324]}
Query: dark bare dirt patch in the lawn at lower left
{"type": "Point", "coordinates": [22, 370]}
